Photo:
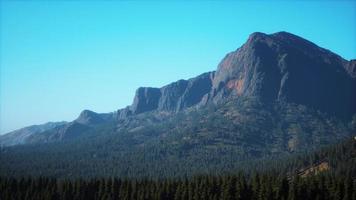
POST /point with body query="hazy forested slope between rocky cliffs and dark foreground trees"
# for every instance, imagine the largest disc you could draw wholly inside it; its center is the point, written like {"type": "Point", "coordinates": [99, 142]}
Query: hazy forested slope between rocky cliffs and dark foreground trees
{"type": "Point", "coordinates": [212, 140]}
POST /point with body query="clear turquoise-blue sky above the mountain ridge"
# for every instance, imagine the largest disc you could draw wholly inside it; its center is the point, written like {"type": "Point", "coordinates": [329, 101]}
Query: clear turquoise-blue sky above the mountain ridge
{"type": "Point", "coordinates": [58, 58]}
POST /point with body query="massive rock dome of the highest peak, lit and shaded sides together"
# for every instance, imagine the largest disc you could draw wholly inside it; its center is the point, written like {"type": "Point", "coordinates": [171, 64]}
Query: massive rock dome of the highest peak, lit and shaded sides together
{"type": "Point", "coordinates": [285, 67]}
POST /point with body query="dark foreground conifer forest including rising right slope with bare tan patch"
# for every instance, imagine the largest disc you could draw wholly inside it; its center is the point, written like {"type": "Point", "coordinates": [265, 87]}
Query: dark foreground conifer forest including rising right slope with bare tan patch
{"type": "Point", "coordinates": [336, 181]}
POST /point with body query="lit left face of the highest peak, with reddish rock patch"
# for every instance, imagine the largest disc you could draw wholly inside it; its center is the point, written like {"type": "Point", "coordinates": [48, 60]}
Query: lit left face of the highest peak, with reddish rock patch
{"type": "Point", "coordinates": [249, 71]}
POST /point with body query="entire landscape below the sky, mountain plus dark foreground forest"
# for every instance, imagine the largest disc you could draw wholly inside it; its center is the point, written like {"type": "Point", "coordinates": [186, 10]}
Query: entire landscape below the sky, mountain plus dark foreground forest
{"type": "Point", "coordinates": [267, 124]}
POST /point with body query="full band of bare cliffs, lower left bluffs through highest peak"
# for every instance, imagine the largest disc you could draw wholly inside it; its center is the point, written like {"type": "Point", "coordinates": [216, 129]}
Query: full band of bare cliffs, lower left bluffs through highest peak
{"type": "Point", "coordinates": [275, 67]}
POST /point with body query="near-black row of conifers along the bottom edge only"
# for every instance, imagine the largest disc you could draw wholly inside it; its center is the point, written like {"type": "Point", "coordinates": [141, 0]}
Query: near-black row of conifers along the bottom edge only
{"type": "Point", "coordinates": [224, 188]}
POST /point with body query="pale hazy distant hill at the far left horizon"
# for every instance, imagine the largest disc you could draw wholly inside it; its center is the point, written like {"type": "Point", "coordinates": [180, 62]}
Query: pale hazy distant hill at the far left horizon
{"type": "Point", "coordinates": [20, 136]}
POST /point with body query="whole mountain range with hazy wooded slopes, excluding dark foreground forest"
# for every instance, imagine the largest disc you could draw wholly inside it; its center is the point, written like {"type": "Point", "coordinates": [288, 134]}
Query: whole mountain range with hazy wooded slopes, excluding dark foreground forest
{"type": "Point", "coordinates": [278, 93]}
